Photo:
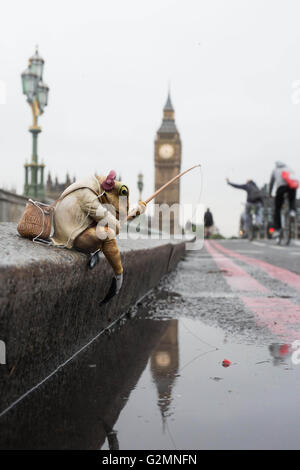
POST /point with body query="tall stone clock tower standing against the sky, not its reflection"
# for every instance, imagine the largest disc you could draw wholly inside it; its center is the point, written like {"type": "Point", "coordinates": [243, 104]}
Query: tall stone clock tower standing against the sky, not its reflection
{"type": "Point", "coordinates": [167, 158]}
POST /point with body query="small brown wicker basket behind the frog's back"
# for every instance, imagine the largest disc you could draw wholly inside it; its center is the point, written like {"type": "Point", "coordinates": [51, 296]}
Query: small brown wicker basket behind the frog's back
{"type": "Point", "coordinates": [36, 221]}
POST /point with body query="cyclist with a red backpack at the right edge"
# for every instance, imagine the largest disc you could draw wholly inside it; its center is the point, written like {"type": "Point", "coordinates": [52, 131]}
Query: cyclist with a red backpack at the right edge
{"type": "Point", "coordinates": [282, 177]}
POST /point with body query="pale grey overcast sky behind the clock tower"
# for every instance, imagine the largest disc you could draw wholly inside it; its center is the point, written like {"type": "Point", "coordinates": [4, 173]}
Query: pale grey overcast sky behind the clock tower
{"type": "Point", "coordinates": [232, 66]}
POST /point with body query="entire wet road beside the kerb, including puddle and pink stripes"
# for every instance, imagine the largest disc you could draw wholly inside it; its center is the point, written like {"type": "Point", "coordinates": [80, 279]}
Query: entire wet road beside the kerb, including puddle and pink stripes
{"type": "Point", "coordinates": [156, 380]}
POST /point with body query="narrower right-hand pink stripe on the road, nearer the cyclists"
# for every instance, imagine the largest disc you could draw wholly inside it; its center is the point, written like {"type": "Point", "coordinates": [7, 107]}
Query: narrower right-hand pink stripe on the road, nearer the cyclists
{"type": "Point", "coordinates": [281, 274]}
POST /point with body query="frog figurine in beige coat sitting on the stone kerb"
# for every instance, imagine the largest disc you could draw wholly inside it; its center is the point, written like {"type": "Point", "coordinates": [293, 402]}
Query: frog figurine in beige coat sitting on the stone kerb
{"type": "Point", "coordinates": [88, 217]}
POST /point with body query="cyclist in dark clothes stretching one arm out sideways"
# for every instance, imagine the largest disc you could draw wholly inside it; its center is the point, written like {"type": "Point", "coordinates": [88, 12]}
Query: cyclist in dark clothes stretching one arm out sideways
{"type": "Point", "coordinates": [254, 199]}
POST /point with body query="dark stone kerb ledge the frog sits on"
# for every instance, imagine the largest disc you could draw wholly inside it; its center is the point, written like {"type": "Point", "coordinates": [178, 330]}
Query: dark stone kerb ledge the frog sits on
{"type": "Point", "coordinates": [49, 301]}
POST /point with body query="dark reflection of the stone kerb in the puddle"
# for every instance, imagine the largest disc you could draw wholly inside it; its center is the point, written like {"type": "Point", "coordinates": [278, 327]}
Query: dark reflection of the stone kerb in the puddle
{"type": "Point", "coordinates": [79, 406]}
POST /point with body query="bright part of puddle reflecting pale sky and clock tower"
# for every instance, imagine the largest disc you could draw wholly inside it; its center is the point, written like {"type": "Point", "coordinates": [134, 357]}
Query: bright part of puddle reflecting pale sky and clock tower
{"type": "Point", "coordinates": [185, 399]}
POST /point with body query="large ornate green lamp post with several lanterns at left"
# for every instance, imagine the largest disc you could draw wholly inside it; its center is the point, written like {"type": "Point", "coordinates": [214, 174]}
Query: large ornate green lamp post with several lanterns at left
{"type": "Point", "coordinates": [36, 93]}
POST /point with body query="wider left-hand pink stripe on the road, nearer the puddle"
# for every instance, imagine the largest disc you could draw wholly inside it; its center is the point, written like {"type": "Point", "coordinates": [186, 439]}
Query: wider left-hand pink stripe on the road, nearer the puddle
{"type": "Point", "coordinates": [279, 315]}
